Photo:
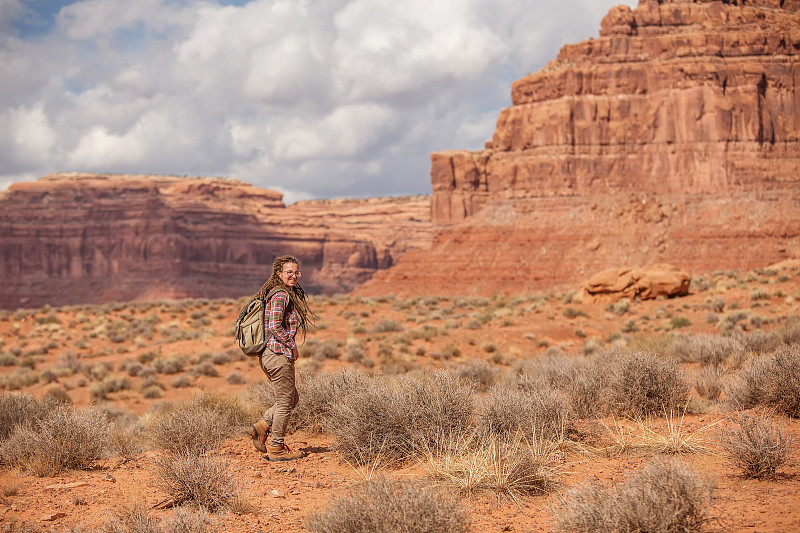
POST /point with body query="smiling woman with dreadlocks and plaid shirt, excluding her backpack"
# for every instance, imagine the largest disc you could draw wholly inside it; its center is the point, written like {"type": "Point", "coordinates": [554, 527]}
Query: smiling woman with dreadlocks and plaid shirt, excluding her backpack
{"type": "Point", "coordinates": [286, 312]}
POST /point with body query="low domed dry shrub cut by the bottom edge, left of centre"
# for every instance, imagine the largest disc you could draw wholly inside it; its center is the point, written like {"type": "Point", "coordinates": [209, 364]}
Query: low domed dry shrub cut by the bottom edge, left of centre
{"type": "Point", "coordinates": [391, 506]}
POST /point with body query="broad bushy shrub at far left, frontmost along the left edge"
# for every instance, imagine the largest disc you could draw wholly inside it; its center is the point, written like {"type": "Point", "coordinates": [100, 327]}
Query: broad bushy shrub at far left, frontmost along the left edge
{"type": "Point", "coordinates": [64, 439]}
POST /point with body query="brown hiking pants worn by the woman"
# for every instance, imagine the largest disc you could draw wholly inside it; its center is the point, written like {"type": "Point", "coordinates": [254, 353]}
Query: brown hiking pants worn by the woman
{"type": "Point", "coordinates": [280, 372]}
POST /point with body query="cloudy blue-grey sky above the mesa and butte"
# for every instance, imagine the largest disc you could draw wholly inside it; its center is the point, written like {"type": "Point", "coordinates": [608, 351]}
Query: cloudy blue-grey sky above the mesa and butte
{"type": "Point", "coordinates": [313, 98]}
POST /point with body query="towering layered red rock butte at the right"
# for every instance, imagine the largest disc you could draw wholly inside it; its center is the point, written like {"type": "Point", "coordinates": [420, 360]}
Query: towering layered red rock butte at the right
{"type": "Point", "coordinates": [672, 138]}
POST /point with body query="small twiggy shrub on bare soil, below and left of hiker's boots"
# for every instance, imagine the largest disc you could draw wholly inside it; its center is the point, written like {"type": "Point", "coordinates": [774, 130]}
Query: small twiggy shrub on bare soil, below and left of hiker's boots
{"type": "Point", "coordinates": [202, 480]}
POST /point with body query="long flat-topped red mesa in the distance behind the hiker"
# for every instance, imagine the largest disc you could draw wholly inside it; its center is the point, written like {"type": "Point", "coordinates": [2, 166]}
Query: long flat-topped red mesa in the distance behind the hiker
{"type": "Point", "coordinates": [85, 238]}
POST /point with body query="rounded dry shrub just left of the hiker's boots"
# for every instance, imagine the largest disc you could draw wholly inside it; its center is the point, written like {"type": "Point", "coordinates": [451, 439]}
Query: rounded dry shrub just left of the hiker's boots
{"type": "Point", "coordinates": [187, 426]}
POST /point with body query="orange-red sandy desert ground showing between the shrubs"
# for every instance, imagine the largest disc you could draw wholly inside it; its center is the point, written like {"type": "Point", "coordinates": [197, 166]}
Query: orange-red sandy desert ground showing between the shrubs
{"type": "Point", "coordinates": [283, 494]}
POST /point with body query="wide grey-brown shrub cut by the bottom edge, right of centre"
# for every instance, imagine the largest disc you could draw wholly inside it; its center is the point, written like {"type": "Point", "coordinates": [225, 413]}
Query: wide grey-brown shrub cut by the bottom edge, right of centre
{"type": "Point", "coordinates": [664, 496]}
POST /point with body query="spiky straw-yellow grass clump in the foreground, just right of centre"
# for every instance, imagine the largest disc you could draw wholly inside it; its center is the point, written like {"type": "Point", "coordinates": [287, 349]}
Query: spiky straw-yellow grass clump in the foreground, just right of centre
{"type": "Point", "coordinates": [511, 466]}
